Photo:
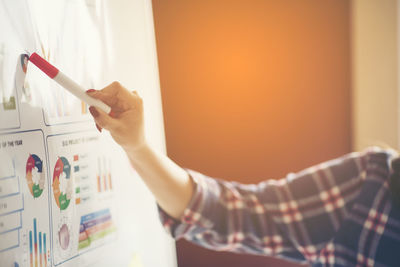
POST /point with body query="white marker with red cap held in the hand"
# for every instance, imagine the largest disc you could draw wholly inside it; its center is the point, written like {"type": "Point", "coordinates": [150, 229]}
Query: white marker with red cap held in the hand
{"type": "Point", "coordinates": [66, 82]}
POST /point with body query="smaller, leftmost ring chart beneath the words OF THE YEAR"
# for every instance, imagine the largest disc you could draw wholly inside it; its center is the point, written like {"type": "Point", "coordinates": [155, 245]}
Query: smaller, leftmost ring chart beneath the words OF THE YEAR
{"type": "Point", "coordinates": [35, 184]}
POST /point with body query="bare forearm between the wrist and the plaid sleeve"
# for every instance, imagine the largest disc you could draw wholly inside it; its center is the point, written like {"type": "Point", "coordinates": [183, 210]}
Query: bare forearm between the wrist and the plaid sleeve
{"type": "Point", "coordinates": [169, 183]}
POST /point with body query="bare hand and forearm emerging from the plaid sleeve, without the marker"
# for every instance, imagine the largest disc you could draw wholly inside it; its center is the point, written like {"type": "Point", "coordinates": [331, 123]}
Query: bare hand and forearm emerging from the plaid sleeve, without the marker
{"type": "Point", "coordinates": [169, 183]}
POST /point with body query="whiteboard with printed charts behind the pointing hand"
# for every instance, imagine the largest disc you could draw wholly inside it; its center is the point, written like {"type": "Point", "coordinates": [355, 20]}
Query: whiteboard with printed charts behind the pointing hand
{"type": "Point", "coordinates": [68, 194]}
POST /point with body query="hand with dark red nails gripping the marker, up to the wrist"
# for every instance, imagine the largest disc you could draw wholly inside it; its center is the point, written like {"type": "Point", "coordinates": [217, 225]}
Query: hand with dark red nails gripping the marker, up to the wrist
{"type": "Point", "coordinates": [125, 121]}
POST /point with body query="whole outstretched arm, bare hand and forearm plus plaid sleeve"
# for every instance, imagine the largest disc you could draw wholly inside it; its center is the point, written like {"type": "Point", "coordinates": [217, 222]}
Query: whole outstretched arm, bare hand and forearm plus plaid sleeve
{"type": "Point", "coordinates": [294, 217]}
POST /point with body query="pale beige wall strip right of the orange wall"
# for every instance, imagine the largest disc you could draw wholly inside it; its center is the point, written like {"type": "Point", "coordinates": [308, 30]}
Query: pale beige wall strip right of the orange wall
{"type": "Point", "coordinates": [375, 79]}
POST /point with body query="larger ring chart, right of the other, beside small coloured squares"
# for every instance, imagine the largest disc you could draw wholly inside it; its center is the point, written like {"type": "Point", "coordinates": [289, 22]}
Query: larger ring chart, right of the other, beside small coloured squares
{"type": "Point", "coordinates": [62, 175]}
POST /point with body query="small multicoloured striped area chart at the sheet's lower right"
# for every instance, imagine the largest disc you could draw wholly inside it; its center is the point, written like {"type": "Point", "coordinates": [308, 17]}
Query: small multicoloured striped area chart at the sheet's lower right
{"type": "Point", "coordinates": [95, 226]}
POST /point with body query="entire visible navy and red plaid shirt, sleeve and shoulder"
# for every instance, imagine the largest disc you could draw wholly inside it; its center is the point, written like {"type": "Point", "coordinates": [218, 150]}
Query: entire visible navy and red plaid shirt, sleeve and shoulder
{"type": "Point", "coordinates": [338, 213]}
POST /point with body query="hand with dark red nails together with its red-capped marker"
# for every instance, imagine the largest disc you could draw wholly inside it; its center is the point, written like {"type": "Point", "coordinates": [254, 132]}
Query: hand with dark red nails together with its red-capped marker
{"type": "Point", "coordinates": [125, 122]}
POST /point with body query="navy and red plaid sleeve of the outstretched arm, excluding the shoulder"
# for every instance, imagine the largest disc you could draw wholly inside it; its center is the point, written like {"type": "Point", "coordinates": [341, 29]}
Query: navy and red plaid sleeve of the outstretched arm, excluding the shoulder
{"type": "Point", "coordinates": [294, 217]}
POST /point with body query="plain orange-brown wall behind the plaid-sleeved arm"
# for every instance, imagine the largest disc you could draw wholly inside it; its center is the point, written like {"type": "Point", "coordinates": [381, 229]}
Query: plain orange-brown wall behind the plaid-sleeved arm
{"type": "Point", "coordinates": [252, 90]}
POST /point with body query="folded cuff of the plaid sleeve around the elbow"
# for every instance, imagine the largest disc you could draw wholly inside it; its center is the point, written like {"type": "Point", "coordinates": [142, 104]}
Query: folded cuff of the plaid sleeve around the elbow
{"type": "Point", "coordinates": [192, 215]}
